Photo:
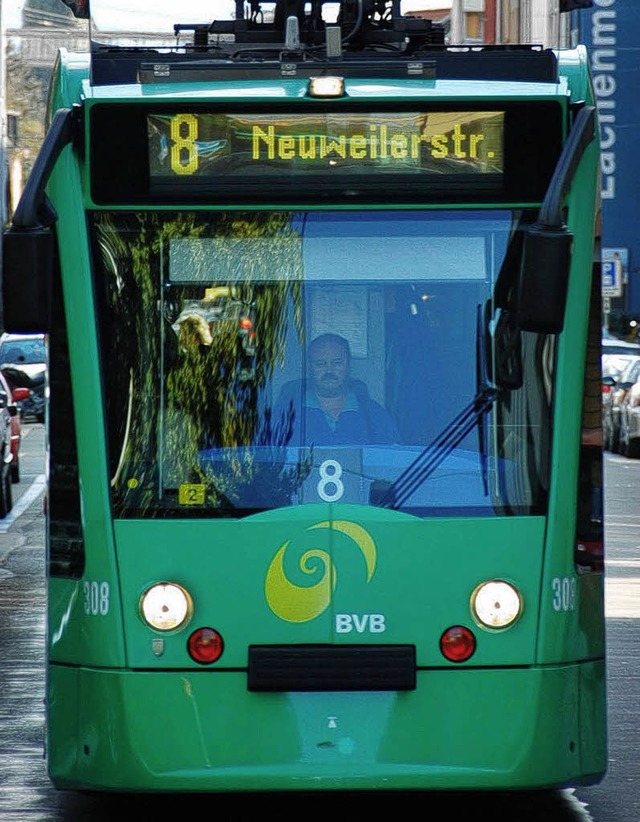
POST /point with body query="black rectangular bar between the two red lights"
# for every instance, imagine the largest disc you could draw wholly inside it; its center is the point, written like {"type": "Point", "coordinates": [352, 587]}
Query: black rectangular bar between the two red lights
{"type": "Point", "coordinates": [332, 668]}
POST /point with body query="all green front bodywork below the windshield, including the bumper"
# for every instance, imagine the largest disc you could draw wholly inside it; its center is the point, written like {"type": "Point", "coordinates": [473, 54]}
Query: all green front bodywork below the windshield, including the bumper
{"type": "Point", "coordinates": [159, 722]}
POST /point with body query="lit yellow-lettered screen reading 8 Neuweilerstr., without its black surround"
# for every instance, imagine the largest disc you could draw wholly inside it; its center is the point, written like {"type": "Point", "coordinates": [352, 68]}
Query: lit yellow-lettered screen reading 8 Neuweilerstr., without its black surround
{"type": "Point", "coordinates": [189, 144]}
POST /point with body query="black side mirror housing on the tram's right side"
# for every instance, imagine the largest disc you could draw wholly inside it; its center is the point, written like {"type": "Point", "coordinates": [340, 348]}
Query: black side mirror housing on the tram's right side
{"type": "Point", "coordinates": [541, 293]}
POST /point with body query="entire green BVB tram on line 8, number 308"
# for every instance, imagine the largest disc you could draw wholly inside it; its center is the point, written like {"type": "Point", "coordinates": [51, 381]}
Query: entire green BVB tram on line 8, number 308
{"type": "Point", "coordinates": [324, 503]}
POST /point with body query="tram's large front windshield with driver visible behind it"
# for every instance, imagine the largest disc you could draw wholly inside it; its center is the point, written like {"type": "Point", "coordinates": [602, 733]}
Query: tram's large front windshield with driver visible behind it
{"type": "Point", "coordinates": [254, 360]}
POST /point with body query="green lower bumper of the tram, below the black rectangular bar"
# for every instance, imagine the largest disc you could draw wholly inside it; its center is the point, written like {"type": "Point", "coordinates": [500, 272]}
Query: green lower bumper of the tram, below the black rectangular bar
{"type": "Point", "coordinates": [204, 731]}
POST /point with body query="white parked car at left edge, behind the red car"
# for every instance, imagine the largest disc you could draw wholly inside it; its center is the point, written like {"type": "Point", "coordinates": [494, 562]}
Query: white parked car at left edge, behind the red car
{"type": "Point", "coordinates": [23, 361]}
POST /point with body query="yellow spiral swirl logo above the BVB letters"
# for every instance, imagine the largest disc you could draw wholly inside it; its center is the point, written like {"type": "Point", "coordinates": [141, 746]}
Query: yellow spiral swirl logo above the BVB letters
{"type": "Point", "coordinates": [300, 603]}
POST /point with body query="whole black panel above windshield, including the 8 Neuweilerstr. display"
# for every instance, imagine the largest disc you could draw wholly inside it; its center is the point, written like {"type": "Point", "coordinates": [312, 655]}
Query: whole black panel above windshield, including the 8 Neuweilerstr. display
{"type": "Point", "coordinates": [470, 152]}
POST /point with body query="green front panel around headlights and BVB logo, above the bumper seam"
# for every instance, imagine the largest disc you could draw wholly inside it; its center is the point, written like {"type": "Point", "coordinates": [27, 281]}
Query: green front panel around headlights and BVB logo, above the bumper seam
{"type": "Point", "coordinates": [422, 577]}
